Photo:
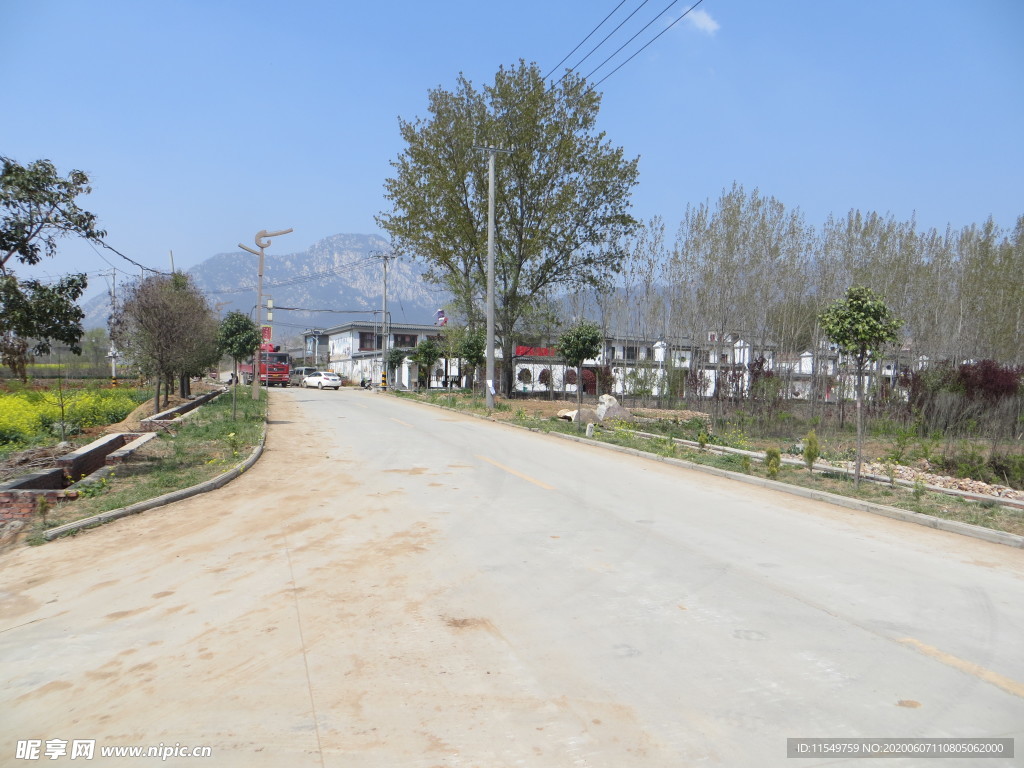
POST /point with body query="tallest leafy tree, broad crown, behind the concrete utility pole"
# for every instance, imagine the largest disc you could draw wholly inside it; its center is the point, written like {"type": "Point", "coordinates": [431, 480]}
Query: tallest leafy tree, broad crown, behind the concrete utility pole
{"type": "Point", "coordinates": [562, 196]}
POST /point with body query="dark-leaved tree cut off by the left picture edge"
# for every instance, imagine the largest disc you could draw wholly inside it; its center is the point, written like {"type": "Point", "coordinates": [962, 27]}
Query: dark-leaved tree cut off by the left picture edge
{"type": "Point", "coordinates": [38, 208]}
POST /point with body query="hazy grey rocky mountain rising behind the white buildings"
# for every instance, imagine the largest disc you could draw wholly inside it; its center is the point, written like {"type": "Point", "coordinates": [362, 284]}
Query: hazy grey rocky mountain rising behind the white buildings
{"type": "Point", "coordinates": [343, 273]}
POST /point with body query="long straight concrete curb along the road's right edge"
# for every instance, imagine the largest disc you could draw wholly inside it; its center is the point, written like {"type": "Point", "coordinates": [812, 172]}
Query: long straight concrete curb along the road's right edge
{"type": "Point", "coordinates": [953, 527]}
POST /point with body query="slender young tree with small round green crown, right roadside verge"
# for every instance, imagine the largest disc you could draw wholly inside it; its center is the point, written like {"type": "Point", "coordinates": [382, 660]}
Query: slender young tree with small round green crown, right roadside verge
{"type": "Point", "coordinates": [861, 325]}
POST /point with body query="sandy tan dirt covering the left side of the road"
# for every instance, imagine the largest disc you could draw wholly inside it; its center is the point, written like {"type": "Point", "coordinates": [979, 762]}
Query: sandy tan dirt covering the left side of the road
{"type": "Point", "coordinates": [283, 621]}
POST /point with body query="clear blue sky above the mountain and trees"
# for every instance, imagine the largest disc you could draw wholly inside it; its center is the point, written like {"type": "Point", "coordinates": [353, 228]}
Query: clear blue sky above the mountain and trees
{"type": "Point", "coordinates": [203, 121]}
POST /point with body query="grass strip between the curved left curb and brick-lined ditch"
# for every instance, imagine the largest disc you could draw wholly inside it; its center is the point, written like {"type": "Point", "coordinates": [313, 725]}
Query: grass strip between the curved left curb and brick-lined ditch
{"type": "Point", "coordinates": [205, 445]}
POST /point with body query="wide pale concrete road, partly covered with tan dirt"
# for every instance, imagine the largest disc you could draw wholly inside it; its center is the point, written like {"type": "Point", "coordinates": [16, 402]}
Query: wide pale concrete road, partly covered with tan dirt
{"type": "Point", "coordinates": [395, 585]}
